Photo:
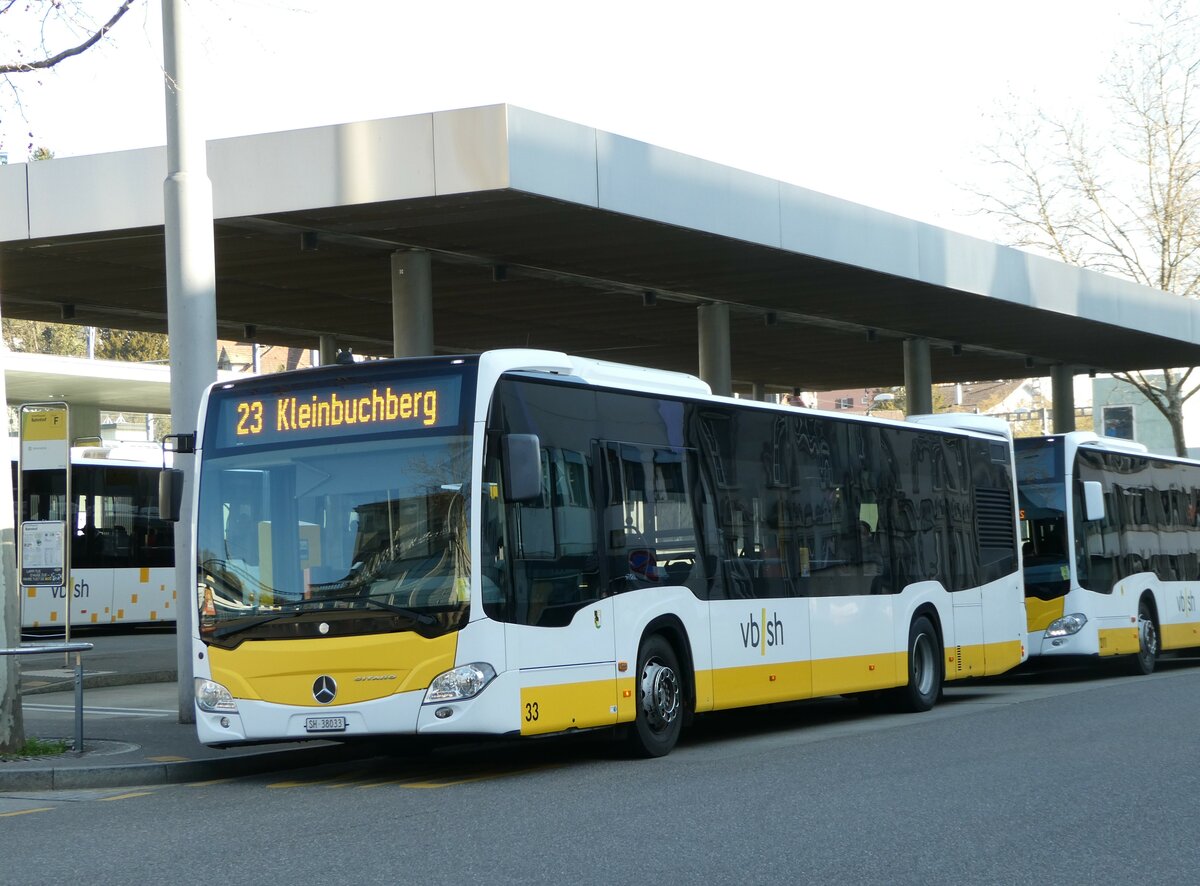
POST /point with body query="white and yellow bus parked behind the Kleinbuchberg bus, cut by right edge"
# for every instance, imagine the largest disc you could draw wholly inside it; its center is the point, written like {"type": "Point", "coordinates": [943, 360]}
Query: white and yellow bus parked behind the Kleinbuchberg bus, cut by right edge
{"type": "Point", "coordinates": [1112, 548]}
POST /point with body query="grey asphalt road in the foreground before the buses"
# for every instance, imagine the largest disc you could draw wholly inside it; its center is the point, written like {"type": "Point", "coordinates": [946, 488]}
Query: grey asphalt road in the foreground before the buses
{"type": "Point", "coordinates": [1064, 779]}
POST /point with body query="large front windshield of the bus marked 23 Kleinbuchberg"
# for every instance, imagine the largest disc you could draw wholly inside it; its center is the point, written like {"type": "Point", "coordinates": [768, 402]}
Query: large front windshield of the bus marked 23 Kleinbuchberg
{"type": "Point", "coordinates": [351, 537]}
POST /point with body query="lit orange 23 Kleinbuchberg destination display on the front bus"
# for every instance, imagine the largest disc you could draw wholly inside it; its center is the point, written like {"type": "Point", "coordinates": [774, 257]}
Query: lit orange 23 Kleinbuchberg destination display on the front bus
{"type": "Point", "coordinates": [343, 411]}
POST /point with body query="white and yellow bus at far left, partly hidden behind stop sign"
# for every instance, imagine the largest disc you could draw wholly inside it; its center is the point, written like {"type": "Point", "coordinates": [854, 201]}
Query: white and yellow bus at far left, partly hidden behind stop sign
{"type": "Point", "coordinates": [123, 556]}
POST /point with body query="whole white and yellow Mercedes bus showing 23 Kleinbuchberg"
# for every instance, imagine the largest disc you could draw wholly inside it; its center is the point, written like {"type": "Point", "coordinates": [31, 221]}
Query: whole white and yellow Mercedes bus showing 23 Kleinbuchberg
{"type": "Point", "coordinates": [529, 543]}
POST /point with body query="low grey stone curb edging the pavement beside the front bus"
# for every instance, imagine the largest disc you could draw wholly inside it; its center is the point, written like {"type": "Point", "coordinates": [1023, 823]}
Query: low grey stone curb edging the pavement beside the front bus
{"type": "Point", "coordinates": [50, 779]}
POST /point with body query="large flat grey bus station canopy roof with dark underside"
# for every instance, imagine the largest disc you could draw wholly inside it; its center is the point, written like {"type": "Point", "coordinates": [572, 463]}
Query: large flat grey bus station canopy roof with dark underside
{"type": "Point", "coordinates": [547, 234]}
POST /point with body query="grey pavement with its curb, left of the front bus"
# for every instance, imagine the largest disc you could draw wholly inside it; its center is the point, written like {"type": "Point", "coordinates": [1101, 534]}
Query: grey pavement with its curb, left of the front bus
{"type": "Point", "coordinates": [131, 731]}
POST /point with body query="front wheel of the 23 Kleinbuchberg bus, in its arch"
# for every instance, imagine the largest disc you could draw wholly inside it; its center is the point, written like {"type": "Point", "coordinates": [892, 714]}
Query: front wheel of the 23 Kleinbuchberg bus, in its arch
{"type": "Point", "coordinates": [663, 691]}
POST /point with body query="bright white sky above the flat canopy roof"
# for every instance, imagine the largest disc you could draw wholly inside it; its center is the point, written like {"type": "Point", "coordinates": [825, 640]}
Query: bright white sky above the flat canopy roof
{"type": "Point", "coordinates": [881, 103]}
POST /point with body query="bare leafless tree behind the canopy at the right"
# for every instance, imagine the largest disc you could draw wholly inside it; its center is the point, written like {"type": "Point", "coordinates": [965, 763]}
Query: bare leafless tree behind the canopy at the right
{"type": "Point", "coordinates": [1126, 203]}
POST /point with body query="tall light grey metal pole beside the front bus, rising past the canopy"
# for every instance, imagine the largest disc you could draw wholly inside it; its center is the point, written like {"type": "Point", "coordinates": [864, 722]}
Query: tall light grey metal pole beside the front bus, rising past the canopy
{"type": "Point", "coordinates": [191, 304]}
